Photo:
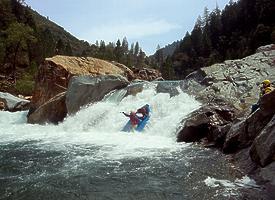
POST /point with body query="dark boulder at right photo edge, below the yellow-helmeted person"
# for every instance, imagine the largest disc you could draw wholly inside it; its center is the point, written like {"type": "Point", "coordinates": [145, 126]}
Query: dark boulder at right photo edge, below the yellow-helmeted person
{"type": "Point", "coordinates": [263, 148]}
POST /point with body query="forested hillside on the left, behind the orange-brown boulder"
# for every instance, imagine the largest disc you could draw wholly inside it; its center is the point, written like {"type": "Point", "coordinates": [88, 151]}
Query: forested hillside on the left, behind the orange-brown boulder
{"type": "Point", "coordinates": [26, 38]}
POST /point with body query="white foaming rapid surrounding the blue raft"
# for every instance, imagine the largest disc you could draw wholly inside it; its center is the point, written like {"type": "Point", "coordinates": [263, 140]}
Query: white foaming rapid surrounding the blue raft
{"type": "Point", "coordinates": [100, 124]}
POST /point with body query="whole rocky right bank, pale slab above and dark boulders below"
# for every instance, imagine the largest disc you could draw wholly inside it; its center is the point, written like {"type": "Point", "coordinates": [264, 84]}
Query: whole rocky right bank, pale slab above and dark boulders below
{"type": "Point", "coordinates": [249, 137]}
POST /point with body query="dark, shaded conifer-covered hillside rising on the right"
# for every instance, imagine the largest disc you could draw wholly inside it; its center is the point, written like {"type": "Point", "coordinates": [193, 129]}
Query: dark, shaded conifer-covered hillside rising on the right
{"type": "Point", "coordinates": [232, 33]}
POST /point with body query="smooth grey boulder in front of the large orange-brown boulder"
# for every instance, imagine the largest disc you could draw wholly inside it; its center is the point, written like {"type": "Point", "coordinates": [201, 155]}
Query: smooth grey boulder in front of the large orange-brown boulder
{"type": "Point", "coordinates": [83, 90]}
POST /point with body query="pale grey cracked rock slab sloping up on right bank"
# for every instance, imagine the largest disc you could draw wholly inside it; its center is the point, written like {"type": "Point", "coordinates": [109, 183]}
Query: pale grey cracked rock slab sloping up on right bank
{"type": "Point", "coordinates": [233, 80]}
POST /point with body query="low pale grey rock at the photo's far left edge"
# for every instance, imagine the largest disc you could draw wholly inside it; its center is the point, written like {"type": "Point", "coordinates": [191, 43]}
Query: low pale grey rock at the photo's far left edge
{"type": "Point", "coordinates": [12, 103]}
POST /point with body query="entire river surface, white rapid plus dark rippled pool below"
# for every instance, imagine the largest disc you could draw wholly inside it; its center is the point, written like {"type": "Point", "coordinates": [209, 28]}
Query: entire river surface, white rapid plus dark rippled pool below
{"type": "Point", "coordinates": [88, 157]}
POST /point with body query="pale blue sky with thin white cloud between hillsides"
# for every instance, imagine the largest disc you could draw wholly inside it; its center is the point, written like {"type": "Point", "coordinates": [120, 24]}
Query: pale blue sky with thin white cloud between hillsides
{"type": "Point", "coordinates": [150, 22]}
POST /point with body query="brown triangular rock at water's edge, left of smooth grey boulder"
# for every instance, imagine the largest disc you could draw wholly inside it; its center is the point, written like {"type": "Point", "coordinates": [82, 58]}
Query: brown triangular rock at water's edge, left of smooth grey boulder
{"type": "Point", "coordinates": [53, 111]}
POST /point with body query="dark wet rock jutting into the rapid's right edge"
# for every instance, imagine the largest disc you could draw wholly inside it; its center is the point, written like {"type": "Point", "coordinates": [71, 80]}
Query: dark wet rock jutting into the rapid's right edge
{"type": "Point", "coordinates": [211, 122]}
